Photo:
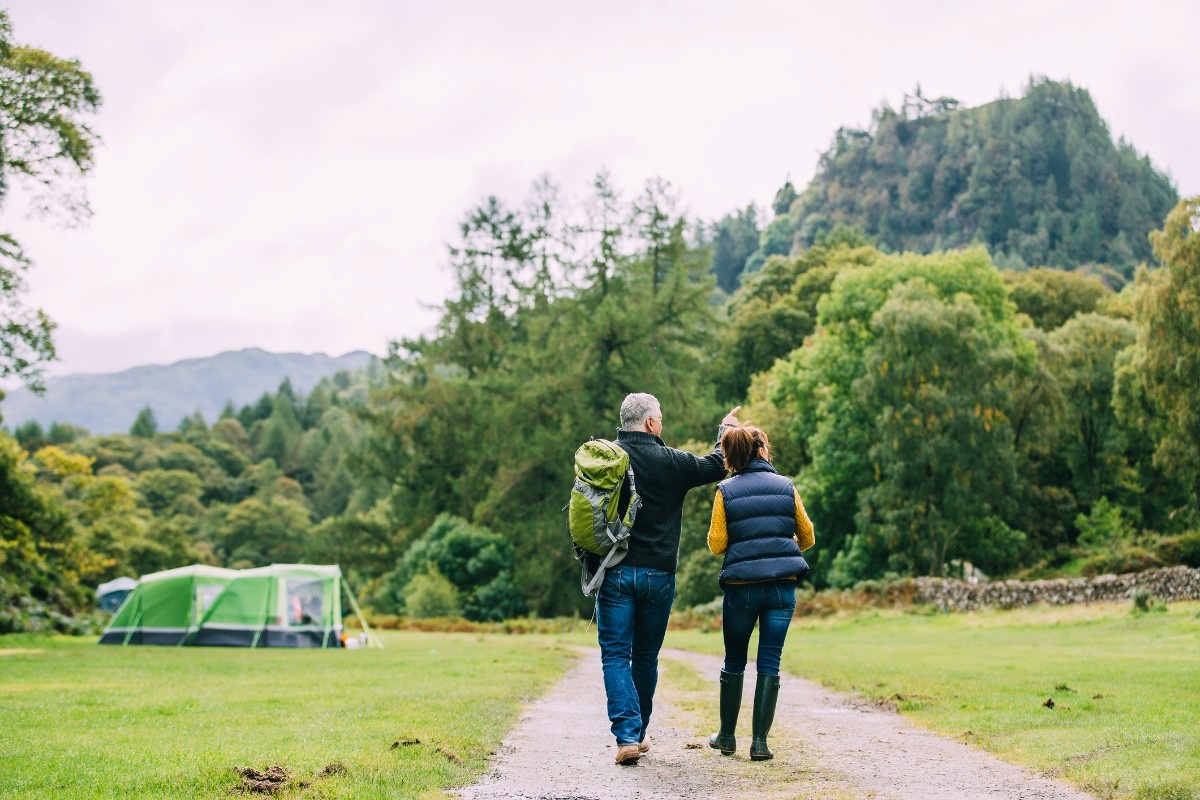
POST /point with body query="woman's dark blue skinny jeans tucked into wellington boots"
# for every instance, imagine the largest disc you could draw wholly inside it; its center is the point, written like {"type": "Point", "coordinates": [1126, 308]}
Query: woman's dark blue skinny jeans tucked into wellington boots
{"type": "Point", "coordinates": [771, 605]}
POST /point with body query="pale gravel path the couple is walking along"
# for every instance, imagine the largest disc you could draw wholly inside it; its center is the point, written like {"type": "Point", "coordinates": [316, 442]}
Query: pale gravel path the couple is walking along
{"type": "Point", "coordinates": [827, 747]}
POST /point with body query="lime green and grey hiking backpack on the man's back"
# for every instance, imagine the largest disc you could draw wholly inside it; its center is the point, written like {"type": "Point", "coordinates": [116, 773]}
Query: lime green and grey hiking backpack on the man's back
{"type": "Point", "coordinates": [595, 518]}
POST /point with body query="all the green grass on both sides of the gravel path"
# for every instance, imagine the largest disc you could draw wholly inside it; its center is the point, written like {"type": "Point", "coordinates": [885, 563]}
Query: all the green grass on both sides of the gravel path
{"type": "Point", "coordinates": [79, 720]}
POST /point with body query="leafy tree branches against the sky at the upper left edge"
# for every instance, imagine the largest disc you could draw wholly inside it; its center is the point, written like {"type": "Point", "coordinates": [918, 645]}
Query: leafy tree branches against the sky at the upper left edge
{"type": "Point", "coordinates": [46, 145]}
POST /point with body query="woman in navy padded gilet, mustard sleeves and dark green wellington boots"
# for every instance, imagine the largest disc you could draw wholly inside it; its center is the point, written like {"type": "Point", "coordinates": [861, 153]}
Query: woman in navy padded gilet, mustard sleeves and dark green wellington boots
{"type": "Point", "coordinates": [761, 527]}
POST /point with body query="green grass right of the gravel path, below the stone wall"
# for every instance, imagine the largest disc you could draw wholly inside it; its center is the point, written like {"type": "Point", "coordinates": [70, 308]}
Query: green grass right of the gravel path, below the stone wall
{"type": "Point", "coordinates": [1126, 689]}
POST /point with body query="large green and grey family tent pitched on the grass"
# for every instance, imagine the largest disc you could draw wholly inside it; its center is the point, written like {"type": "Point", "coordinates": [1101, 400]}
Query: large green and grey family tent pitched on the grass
{"type": "Point", "coordinates": [278, 606]}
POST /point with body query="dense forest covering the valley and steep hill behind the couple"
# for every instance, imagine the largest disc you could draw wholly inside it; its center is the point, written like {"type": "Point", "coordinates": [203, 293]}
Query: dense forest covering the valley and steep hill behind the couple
{"type": "Point", "coordinates": [938, 410]}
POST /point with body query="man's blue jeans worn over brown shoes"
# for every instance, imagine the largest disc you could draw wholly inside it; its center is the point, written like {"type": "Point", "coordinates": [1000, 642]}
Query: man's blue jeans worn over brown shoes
{"type": "Point", "coordinates": [633, 609]}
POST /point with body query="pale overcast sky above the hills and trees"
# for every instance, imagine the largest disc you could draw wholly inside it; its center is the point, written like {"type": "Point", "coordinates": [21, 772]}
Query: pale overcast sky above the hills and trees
{"type": "Point", "coordinates": [287, 175]}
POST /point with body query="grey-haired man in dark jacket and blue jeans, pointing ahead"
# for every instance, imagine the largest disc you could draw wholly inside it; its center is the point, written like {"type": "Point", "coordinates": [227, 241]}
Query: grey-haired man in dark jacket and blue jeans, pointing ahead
{"type": "Point", "coordinates": [635, 599]}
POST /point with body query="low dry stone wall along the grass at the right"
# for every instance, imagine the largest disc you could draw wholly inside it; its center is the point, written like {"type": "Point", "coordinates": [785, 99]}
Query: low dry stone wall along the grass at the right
{"type": "Point", "coordinates": [1168, 585]}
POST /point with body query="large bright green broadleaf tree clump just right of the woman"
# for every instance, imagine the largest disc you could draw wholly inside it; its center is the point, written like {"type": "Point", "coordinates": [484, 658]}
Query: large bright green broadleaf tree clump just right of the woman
{"type": "Point", "coordinates": [902, 401]}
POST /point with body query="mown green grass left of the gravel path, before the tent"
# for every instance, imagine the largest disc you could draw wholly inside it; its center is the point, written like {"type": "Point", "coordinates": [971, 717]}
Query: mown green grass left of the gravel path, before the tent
{"type": "Point", "coordinates": [82, 721]}
